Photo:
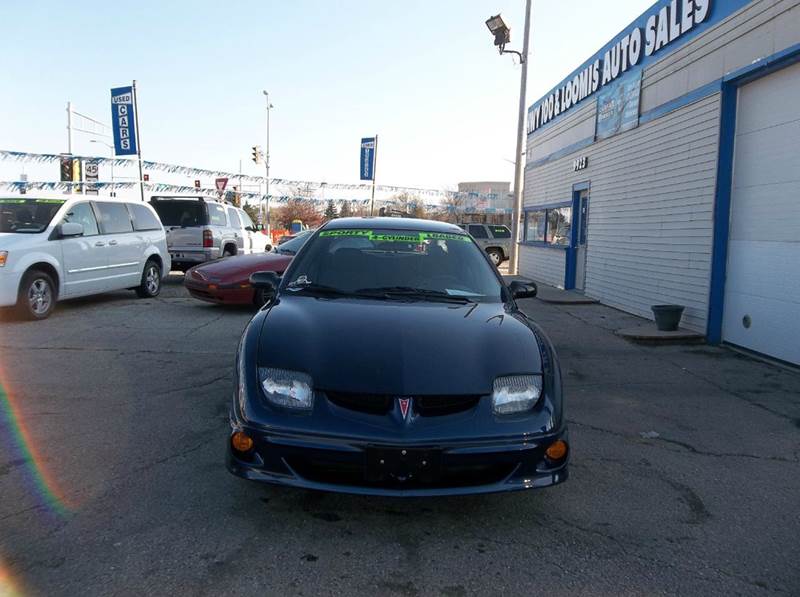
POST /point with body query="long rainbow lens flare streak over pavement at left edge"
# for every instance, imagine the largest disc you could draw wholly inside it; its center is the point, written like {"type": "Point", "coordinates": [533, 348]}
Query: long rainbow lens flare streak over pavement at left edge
{"type": "Point", "coordinates": [14, 431]}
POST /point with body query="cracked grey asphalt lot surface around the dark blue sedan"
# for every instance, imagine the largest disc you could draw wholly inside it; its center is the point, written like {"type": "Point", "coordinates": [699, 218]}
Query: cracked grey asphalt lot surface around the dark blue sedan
{"type": "Point", "coordinates": [685, 474]}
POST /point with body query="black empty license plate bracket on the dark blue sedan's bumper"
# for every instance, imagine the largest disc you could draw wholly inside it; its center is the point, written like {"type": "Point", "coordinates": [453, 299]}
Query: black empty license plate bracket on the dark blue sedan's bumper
{"type": "Point", "coordinates": [403, 465]}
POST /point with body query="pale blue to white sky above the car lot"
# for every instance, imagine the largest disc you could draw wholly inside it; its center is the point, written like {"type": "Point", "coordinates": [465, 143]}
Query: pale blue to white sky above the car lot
{"type": "Point", "coordinates": [422, 74]}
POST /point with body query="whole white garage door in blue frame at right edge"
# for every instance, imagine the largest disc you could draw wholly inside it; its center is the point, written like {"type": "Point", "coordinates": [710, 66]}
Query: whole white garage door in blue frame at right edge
{"type": "Point", "coordinates": [762, 289]}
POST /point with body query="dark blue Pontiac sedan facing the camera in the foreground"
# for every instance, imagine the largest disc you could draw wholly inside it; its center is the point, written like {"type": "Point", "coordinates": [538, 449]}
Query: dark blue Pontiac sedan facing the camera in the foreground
{"type": "Point", "coordinates": [392, 359]}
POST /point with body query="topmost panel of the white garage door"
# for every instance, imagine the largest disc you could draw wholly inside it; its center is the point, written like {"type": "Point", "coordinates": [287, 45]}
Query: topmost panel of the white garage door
{"type": "Point", "coordinates": [768, 101]}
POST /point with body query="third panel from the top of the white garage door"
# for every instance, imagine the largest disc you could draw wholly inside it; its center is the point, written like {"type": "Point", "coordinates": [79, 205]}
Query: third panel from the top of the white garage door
{"type": "Point", "coordinates": [760, 213]}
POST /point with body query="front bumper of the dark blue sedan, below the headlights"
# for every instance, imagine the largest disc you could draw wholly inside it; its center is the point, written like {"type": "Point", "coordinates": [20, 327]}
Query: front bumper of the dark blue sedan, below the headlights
{"type": "Point", "coordinates": [457, 467]}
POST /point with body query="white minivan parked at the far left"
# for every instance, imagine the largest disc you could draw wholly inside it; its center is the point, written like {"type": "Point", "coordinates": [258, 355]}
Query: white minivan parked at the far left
{"type": "Point", "coordinates": [60, 248]}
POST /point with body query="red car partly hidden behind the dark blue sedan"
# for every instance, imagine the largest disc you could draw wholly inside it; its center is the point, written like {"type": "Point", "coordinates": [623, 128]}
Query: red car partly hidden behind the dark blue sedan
{"type": "Point", "coordinates": [227, 281]}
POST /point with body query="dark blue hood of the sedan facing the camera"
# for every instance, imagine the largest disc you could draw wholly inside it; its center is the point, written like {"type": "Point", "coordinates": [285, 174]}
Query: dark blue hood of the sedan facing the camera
{"type": "Point", "coordinates": [400, 348]}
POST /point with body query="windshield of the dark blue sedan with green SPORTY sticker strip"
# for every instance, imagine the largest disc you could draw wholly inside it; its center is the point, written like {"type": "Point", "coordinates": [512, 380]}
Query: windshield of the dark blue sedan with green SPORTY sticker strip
{"type": "Point", "coordinates": [395, 264]}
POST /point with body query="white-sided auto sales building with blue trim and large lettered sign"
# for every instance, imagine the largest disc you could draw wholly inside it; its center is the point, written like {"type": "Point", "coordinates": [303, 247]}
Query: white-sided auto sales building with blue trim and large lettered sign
{"type": "Point", "coordinates": [666, 170]}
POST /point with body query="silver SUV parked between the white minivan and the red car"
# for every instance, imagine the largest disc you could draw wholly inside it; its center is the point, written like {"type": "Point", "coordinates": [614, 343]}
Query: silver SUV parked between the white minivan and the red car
{"type": "Point", "coordinates": [200, 229]}
